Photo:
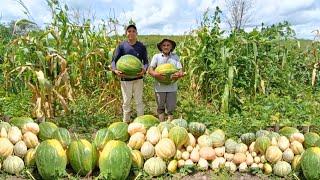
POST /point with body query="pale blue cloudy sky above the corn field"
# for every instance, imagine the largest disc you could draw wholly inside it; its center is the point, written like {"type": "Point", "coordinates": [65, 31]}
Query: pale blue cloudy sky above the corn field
{"type": "Point", "coordinates": [173, 17]}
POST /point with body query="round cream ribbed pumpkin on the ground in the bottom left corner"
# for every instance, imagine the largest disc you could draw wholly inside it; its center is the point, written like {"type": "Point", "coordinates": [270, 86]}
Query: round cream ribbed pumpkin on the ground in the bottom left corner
{"type": "Point", "coordinates": [13, 165]}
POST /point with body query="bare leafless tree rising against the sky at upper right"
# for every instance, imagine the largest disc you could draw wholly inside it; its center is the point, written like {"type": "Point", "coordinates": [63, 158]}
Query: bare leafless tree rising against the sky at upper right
{"type": "Point", "coordinates": [238, 13]}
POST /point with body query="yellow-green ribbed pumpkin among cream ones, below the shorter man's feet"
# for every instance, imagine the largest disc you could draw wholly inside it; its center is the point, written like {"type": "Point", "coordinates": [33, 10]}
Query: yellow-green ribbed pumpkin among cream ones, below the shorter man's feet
{"type": "Point", "coordinates": [179, 136]}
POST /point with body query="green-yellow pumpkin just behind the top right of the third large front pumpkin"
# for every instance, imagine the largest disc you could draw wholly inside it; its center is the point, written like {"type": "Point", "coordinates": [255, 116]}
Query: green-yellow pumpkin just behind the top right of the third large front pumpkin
{"type": "Point", "coordinates": [119, 130]}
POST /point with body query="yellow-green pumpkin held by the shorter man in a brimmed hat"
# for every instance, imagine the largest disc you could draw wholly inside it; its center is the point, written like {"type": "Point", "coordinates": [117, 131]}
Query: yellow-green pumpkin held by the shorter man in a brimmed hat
{"type": "Point", "coordinates": [166, 70]}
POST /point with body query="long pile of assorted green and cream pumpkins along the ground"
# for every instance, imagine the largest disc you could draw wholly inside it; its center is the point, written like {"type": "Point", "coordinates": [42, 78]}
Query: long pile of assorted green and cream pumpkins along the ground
{"type": "Point", "coordinates": [156, 147]}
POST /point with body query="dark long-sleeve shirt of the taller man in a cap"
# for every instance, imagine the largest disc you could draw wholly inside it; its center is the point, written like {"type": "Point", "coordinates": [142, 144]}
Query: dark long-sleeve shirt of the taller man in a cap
{"type": "Point", "coordinates": [138, 50]}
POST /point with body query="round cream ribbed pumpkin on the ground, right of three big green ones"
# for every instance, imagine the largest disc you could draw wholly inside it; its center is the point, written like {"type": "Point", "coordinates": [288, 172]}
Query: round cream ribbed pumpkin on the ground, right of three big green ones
{"type": "Point", "coordinates": [155, 166]}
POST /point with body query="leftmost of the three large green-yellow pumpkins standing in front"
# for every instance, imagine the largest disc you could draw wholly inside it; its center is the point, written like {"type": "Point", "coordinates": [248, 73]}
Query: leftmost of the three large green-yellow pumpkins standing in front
{"type": "Point", "coordinates": [51, 159]}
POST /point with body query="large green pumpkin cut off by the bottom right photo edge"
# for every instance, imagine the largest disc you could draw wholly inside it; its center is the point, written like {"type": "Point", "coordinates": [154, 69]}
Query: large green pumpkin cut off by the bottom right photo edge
{"type": "Point", "coordinates": [310, 163]}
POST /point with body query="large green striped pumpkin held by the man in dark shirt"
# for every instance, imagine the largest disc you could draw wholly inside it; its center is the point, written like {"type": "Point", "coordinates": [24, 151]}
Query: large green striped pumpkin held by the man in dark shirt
{"type": "Point", "coordinates": [129, 65]}
